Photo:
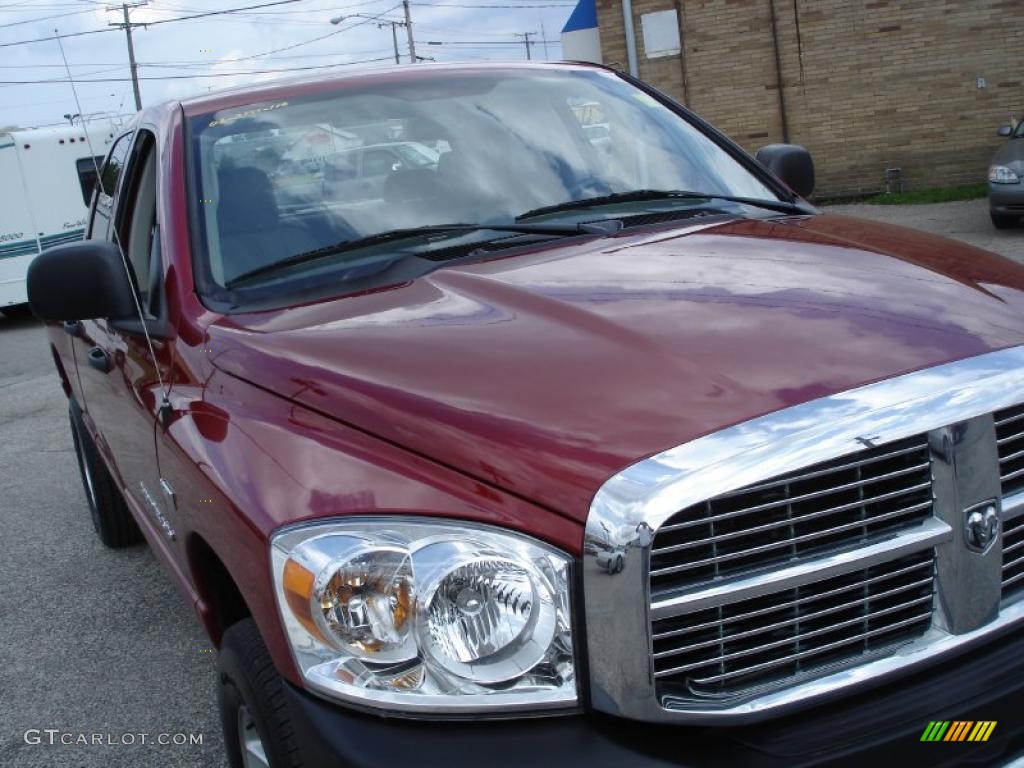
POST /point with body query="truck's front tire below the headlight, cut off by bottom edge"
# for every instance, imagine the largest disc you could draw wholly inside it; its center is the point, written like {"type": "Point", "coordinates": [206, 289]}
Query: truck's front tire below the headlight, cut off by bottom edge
{"type": "Point", "coordinates": [254, 714]}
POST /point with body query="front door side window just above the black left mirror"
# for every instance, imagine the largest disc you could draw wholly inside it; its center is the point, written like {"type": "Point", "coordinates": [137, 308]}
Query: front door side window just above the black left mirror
{"type": "Point", "coordinates": [137, 221]}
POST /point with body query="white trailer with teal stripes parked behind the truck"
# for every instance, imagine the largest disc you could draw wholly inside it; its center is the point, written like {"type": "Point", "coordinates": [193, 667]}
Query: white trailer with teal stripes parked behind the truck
{"type": "Point", "coordinates": [49, 177]}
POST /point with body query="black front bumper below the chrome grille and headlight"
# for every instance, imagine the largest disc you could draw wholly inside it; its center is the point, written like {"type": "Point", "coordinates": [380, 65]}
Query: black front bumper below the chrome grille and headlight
{"type": "Point", "coordinates": [883, 726]}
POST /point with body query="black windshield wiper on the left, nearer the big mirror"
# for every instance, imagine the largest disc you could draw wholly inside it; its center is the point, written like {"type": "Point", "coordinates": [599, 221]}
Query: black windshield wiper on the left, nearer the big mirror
{"type": "Point", "coordinates": [415, 232]}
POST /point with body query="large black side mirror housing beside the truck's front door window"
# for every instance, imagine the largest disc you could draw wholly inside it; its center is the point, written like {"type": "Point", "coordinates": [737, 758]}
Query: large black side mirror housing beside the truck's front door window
{"type": "Point", "coordinates": [80, 281]}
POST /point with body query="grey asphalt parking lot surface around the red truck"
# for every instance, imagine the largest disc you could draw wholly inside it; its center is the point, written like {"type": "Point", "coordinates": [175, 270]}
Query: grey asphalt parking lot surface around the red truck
{"type": "Point", "coordinates": [98, 642]}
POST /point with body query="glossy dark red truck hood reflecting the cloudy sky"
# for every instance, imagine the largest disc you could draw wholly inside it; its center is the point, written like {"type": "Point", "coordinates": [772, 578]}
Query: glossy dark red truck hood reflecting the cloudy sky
{"type": "Point", "coordinates": [546, 373]}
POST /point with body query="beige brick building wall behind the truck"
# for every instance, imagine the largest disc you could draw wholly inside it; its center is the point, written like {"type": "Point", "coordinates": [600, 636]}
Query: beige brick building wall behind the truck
{"type": "Point", "coordinates": [920, 86]}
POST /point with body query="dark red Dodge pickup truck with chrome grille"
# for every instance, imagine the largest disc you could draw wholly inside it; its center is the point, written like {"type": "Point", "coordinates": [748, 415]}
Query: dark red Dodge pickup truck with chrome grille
{"type": "Point", "coordinates": [495, 415]}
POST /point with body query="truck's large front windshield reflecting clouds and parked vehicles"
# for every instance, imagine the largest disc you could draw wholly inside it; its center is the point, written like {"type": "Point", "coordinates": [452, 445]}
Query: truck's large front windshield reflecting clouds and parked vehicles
{"type": "Point", "coordinates": [296, 176]}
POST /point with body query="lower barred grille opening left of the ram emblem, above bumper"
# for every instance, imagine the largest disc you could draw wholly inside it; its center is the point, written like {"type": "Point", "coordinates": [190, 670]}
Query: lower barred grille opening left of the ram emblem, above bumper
{"type": "Point", "coordinates": [756, 643]}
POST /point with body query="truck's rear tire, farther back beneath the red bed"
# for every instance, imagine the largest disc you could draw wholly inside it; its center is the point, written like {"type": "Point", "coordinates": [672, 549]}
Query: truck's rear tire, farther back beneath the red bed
{"type": "Point", "coordinates": [111, 519]}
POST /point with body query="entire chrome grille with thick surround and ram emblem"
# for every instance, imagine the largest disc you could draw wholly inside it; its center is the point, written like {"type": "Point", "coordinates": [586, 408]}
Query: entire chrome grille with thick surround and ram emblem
{"type": "Point", "coordinates": [852, 567]}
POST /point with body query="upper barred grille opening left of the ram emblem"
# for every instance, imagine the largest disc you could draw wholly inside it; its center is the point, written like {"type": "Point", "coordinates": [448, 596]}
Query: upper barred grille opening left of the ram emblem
{"type": "Point", "coordinates": [828, 506]}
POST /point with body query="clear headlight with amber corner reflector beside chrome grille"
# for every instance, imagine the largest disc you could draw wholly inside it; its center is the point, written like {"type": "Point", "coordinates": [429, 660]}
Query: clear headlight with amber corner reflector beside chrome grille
{"type": "Point", "coordinates": [428, 617]}
